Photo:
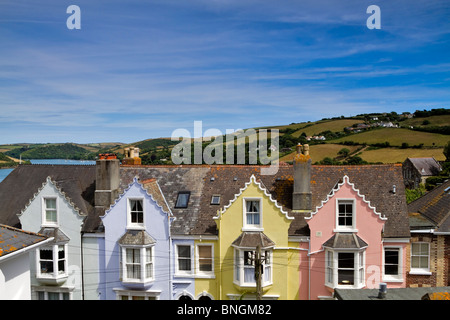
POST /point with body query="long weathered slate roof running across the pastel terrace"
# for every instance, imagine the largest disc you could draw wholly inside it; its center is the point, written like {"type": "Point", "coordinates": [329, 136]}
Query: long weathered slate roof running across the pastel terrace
{"type": "Point", "coordinates": [203, 181]}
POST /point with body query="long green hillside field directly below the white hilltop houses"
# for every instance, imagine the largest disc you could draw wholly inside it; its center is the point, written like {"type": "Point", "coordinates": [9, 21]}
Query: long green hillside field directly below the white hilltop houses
{"type": "Point", "coordinates": [397, 136]}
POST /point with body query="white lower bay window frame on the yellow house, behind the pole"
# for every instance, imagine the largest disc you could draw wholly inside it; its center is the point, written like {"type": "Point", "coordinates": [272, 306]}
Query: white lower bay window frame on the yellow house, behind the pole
{"type": "Point", "coordinates": [240, 266]}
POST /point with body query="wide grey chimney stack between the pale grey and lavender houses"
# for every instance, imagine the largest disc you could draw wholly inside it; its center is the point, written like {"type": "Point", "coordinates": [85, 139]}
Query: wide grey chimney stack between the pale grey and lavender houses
{"type": "Point", "coordinates": [106, 181]}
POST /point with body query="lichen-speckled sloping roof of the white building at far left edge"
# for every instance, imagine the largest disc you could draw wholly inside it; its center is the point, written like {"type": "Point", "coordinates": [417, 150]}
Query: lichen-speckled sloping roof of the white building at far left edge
{"type": "Point", "coordinates": [13, 239]}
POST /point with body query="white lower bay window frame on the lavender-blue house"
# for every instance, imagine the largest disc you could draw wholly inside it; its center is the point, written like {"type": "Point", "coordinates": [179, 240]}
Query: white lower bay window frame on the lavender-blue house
{"type": "Point", "coordinates": [142, 263]}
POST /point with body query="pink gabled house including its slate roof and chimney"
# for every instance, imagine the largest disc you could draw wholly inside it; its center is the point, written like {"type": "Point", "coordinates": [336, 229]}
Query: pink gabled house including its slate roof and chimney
{"type": "Point", "coordinates": [357, 237]}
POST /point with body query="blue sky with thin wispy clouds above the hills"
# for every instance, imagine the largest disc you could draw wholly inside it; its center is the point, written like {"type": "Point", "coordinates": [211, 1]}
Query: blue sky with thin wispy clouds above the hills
{"type": "Point", "coordinates": [140, 69]}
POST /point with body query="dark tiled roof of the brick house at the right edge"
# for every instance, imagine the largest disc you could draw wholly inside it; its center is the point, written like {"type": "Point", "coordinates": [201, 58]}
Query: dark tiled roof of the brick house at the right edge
{"type": "Point", "coordinates": [434, 206]}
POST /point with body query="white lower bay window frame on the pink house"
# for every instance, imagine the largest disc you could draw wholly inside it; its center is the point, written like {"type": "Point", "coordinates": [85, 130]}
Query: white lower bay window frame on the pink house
{"type": "Point", "coordinates": [332, 265]}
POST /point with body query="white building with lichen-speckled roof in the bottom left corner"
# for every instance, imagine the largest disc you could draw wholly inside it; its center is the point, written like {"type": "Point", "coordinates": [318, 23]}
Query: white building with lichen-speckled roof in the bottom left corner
{"type": "Point", "coordinates": [15, 247]}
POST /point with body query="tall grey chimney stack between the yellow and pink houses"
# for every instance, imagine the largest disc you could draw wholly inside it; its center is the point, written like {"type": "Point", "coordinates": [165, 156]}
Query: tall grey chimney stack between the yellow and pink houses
{"type": "Point", "coordinates": [301, 198]}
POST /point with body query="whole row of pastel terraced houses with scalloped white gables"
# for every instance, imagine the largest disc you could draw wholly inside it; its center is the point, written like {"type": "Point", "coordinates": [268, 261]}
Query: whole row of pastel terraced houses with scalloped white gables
{"type": "Point", "coordinates": [197, 232]}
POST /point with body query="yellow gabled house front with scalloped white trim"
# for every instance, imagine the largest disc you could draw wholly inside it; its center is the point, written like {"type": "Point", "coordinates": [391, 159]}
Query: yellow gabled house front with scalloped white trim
{"type": "Point", "coordinates": [254, 220]}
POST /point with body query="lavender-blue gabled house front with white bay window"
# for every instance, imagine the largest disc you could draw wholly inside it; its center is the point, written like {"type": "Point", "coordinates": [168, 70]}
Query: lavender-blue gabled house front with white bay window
{"type": "Point", "coordinates": [136, 249]}
